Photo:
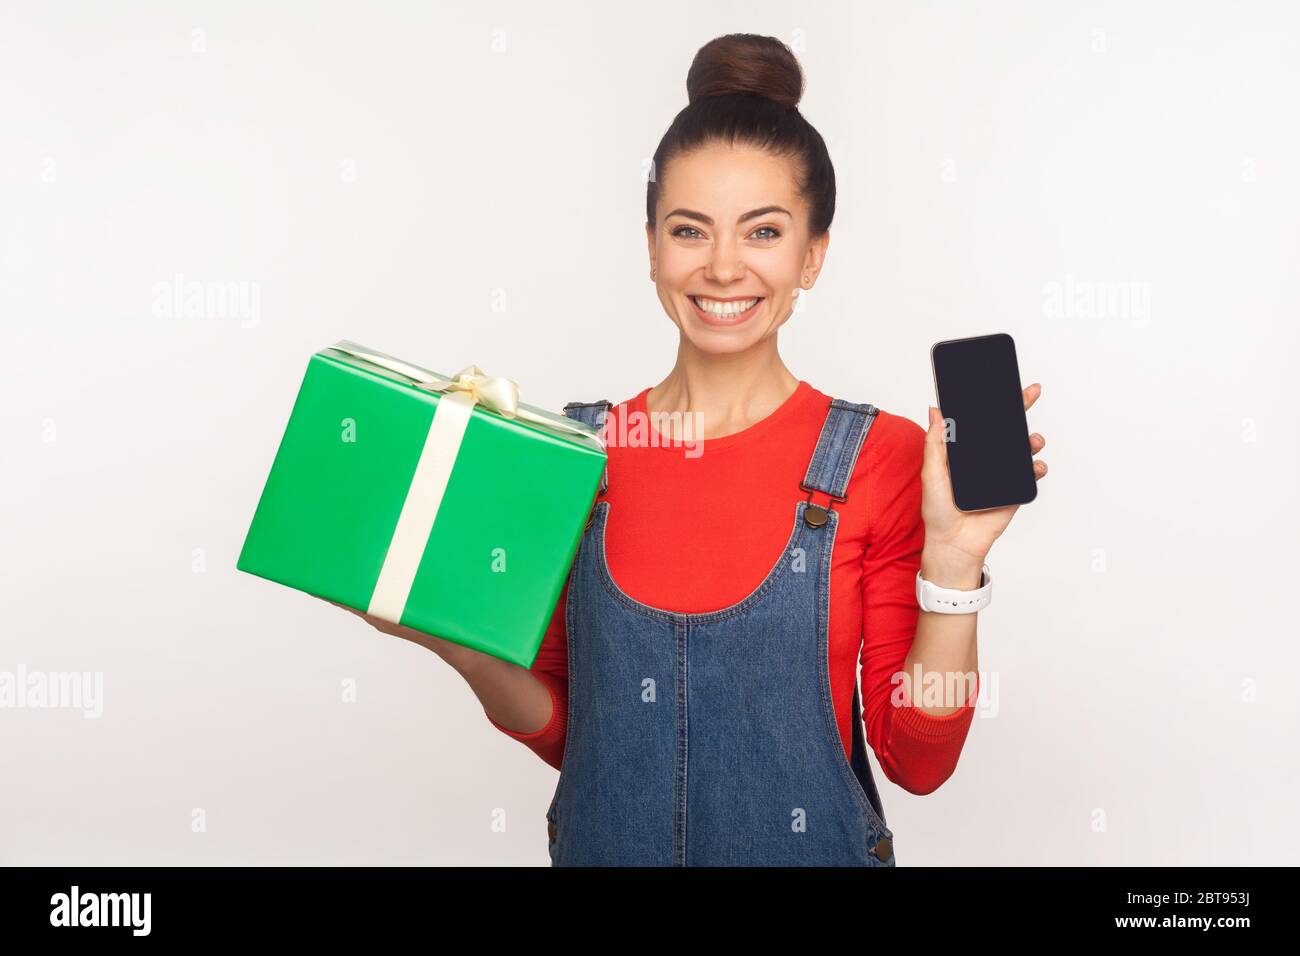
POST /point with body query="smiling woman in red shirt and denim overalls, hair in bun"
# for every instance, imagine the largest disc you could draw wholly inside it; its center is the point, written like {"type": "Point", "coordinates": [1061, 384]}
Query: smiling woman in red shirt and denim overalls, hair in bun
{"type": "Point", "coordinates": [699, 685]}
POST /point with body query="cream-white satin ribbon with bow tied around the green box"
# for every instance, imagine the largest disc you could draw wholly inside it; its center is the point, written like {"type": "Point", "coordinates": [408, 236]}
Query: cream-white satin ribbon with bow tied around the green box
{"type": "Point", "coordinates": [434, 471]}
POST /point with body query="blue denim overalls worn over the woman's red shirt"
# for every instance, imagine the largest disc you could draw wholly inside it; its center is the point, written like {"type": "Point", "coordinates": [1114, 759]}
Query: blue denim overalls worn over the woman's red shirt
{"type": "Point", "coordinates": [710, 739]}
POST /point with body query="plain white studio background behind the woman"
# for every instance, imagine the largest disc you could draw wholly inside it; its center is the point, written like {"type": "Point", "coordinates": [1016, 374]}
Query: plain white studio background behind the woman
{"type": "Point", "coordinates": [465, 183]}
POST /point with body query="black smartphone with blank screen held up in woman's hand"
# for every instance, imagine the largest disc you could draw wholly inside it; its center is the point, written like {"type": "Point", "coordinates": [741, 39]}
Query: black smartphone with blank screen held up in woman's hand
{"type": "Point", "coordinates": [978, 388]}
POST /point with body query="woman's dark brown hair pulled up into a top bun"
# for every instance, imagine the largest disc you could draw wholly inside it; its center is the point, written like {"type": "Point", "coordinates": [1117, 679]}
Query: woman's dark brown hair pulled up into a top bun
{"type": "Point", "coordinates": [746, 89]}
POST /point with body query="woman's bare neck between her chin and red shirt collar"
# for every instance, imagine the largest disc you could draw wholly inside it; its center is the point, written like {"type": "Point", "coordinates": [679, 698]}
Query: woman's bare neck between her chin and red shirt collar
{"type": "Point", "coordinates": [725, 393]}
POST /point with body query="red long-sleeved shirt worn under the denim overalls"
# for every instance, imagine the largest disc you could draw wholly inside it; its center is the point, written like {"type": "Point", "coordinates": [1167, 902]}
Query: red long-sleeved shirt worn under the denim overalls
{"type": "Point", "coordinates": [664, 555]}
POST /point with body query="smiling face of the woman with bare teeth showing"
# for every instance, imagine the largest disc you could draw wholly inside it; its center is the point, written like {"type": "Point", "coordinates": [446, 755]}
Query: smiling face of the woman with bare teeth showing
{"type": "Point", "coordinates": [731, 246]}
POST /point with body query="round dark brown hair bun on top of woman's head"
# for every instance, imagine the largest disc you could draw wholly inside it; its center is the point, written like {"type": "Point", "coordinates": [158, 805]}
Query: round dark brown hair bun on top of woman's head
{"type": "Point", "coordinates": [746, 63]}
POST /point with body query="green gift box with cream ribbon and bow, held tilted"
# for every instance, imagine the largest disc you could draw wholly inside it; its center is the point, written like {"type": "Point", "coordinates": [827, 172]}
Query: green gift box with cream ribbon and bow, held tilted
{"type": "Point", "coordinates": [441, 504]}
